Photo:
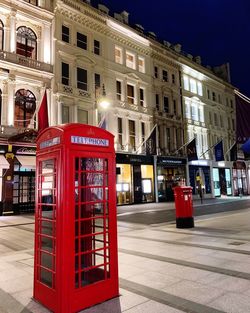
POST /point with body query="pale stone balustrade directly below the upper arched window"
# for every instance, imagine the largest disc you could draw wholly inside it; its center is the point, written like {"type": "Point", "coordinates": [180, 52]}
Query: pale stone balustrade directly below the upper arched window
{"type": "Point", "coordinates": [27, 62]}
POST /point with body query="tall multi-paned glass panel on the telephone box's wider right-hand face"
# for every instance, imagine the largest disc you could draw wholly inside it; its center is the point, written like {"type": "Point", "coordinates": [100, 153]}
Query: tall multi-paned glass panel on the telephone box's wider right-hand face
{"type": "Point", "coordinates": [91, 221]}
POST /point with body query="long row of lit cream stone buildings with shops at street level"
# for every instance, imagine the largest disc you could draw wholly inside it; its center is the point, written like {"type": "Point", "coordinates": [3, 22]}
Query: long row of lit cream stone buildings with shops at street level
{"type": "Point", "coordinates": [76, 52]}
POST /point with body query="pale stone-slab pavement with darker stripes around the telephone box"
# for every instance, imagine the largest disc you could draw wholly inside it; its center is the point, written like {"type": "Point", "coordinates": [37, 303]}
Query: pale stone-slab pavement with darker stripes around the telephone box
{"type": "Point", "coordinates": [162, 269]}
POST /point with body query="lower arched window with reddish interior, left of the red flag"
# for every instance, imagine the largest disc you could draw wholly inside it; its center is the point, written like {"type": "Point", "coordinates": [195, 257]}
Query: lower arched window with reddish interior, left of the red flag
{"type": "Point", "coordinates": [25, 107]}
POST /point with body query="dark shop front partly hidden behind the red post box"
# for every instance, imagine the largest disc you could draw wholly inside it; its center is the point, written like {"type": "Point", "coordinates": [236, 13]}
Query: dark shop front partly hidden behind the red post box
{"type": "Point", "coordinates": [171, 172]}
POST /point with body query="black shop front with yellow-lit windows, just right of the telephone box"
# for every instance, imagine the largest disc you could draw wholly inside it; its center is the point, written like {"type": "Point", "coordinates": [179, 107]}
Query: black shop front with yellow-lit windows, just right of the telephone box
{"type": "Point", "coordinates": [134, 179]}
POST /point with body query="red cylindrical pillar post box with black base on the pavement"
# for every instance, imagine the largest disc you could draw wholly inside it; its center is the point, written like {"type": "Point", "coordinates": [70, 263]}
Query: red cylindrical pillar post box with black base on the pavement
{"type": "Point", "coordinates": [184, 207]}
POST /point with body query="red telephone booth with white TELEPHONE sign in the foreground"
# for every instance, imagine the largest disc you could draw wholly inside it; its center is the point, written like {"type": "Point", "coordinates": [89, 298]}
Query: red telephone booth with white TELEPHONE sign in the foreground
{"type": "Point", "coordinates": [75, 221]}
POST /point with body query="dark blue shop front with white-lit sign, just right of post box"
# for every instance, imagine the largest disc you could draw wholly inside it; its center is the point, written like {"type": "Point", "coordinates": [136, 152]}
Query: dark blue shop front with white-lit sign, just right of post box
{"type": "Point", "coordinates": [200, 178]}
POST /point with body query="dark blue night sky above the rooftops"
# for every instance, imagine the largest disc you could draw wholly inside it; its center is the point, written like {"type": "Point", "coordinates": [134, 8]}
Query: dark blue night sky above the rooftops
{"type": "Point", "coordinates": [217, 30]}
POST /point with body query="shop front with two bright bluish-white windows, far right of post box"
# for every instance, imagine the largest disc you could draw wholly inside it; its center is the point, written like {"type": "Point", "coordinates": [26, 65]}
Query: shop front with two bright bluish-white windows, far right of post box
{"type": "Point", "coordinates": [222, 179]}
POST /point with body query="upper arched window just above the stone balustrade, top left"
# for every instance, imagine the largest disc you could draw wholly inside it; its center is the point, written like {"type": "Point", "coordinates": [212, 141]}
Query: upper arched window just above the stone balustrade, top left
{"type": "Point", "coordinates": [26, 42]}
